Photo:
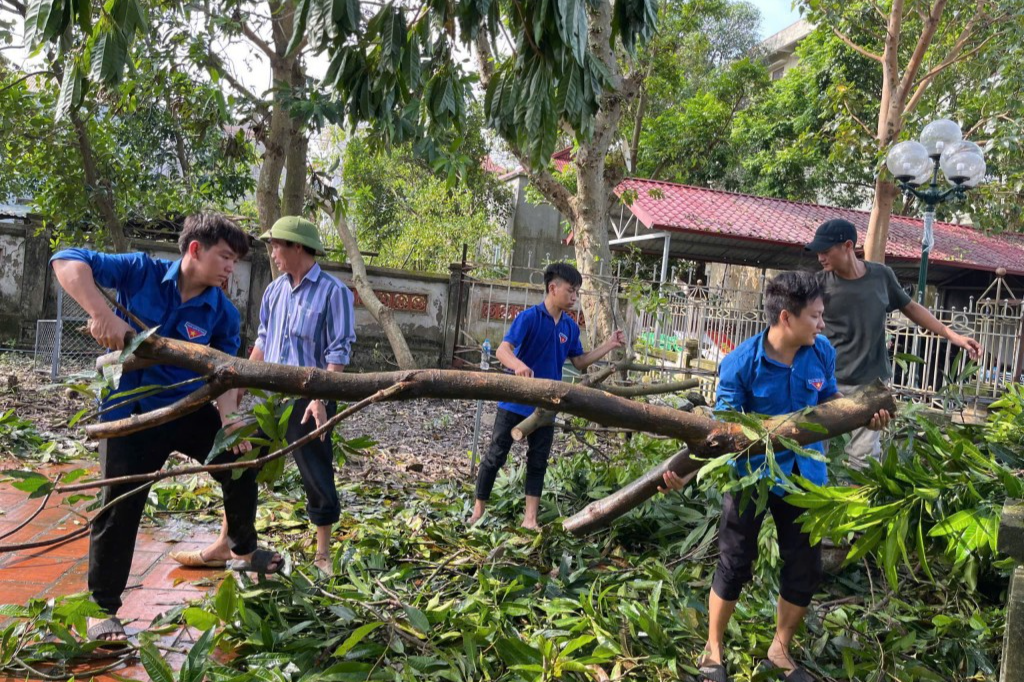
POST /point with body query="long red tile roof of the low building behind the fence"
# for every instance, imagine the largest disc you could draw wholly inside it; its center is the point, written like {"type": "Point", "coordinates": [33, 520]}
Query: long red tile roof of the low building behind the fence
{"type": "Point", "coordinates": [686, 209]}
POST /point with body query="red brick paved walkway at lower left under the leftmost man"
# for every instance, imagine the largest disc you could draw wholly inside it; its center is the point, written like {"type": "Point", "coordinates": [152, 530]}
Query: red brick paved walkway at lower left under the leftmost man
{"type": "Point", "coordinates": [157, 582]}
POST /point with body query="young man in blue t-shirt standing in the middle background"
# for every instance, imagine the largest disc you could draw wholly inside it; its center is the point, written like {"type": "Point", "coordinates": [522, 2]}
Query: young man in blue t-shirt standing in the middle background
{"type": "Point", "coordinates": [537, 346]}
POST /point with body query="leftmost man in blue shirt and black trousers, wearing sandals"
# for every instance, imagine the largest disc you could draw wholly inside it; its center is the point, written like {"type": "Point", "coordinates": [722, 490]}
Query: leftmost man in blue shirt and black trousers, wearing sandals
{"type": "Point", "coordinates": [185, 301]}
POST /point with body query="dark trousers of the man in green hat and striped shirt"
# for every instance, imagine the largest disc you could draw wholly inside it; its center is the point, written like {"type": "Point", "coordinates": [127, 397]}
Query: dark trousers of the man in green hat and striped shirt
{"type": "Point", "coordinates": [316, 462]}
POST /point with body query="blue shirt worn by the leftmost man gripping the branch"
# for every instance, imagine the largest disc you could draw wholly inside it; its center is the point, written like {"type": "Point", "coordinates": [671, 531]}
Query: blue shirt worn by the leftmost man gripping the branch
{"type": "Point", "coordinates": [149, 288]}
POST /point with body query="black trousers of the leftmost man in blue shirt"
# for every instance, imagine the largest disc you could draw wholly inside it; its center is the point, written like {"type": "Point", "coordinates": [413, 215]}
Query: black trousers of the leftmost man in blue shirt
{"type": "Point", "coordinates": [112, 543]}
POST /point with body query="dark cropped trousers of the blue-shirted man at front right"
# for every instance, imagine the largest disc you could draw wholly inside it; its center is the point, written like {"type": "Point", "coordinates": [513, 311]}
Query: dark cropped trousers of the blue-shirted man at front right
{"type": "Point", "coordinates": [738, 545]}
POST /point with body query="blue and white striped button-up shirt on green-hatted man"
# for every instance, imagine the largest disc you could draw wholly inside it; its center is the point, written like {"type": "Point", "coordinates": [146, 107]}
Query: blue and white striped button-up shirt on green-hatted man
{"type": "Point", "coordinates": [311, 325]}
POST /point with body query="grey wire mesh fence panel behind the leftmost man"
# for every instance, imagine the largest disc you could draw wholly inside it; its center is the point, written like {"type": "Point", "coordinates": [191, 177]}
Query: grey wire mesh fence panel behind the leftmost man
{"type": "Point", "coordinates": [63, 346]}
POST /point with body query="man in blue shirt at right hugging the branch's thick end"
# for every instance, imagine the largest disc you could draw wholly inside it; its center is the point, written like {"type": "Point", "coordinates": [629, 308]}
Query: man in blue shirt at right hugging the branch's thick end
{"type": "Point", "coordinates": [787, 368]}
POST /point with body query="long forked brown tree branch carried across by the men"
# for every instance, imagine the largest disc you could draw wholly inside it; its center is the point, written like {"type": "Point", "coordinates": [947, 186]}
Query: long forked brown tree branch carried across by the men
{"type": "Point", "coordinates": [706, 438]}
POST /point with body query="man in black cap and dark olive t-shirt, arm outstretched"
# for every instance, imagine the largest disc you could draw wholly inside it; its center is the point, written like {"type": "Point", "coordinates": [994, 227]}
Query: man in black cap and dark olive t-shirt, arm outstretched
{"type": "Point", "coordinates": [859, 296]}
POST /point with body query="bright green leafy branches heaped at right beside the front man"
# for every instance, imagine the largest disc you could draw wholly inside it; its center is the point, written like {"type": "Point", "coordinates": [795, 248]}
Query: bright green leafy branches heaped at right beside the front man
{"type": "Point", "coordinates": [935, 497]}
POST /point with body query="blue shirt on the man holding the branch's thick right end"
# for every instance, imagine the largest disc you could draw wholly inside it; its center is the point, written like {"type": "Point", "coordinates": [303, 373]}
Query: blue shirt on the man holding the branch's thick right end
{"type": "Point", "coordinates": [750, 381]}
